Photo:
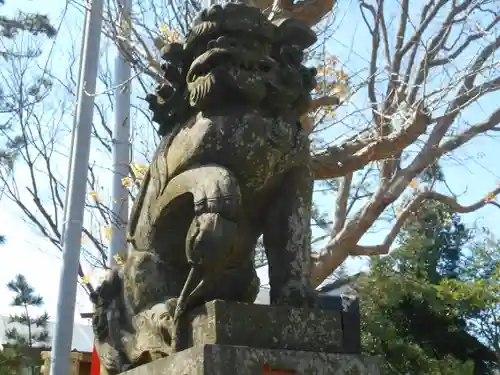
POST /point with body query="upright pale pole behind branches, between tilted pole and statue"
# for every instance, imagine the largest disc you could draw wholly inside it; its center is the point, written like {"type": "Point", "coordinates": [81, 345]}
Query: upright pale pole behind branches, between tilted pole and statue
{"type": "Point", "coordinates": [121, 145]}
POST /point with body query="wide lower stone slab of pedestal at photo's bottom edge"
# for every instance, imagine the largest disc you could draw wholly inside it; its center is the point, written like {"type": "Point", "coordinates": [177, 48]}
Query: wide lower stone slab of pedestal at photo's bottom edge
{"type": "Point", "coordinates": [234, 360]}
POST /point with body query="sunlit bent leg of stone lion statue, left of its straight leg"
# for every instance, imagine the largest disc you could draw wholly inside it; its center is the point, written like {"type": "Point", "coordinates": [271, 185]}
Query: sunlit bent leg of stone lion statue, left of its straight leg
{"type": "Point", "coordinates": [216, 201]}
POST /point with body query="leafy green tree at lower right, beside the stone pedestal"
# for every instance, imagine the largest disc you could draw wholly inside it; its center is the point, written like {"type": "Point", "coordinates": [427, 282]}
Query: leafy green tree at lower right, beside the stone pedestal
{"type": "Point", "coordinates": [420, 303]}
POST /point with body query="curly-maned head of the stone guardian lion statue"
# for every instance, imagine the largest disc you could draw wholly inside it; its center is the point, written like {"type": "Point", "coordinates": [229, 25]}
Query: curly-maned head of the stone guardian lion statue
{"type": "Point", "coordinates": [234, 55]}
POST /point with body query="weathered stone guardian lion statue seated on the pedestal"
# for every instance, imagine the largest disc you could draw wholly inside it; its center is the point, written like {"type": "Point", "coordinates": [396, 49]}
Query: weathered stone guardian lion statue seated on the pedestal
{"type": "Point", "coordinates": [233, 164]}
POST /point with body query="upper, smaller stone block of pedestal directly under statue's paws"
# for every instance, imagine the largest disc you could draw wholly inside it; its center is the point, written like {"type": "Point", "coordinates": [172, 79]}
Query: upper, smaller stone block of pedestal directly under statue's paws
{"type": "Point", "coordinates": [267, 327]}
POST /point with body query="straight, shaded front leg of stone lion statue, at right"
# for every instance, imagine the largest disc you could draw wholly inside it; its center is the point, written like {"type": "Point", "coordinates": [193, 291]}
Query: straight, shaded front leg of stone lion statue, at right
{"type": "Point", "coordinates": [287, 240]}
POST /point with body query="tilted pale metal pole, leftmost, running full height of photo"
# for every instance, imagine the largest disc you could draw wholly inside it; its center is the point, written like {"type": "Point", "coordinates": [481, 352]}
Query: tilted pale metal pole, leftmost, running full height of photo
{"type": "Point", "coordinates": [77, 189]}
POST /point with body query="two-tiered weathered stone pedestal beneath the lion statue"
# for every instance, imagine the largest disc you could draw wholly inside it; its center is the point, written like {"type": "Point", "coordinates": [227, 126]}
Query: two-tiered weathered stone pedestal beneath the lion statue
{"type": "Point", "coordinates": [240, 339]}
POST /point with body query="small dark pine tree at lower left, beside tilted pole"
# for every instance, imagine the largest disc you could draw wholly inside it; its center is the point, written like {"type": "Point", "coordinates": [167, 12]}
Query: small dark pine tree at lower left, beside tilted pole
{"type": "Point", "coordinates": [31, 330]}
